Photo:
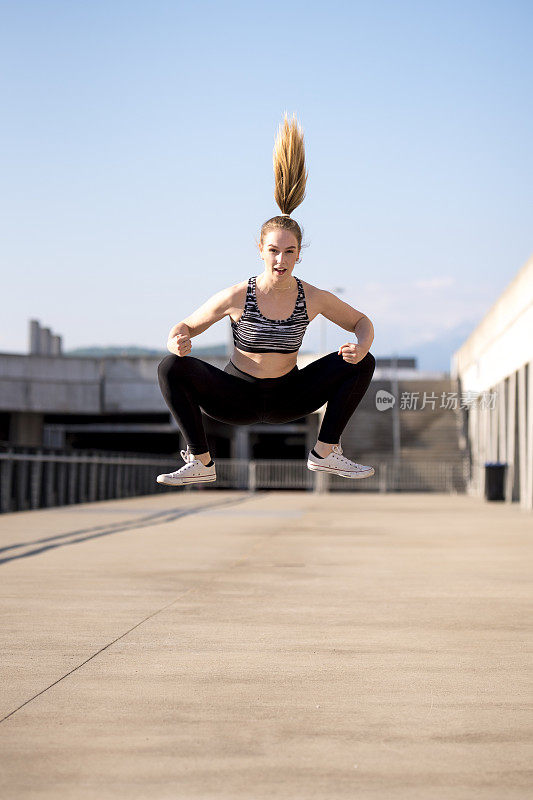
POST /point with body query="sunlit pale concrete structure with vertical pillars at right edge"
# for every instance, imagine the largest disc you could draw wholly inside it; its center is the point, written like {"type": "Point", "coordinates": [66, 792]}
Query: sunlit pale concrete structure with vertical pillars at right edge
{"type": "Point", "coordinates": [494, 370]}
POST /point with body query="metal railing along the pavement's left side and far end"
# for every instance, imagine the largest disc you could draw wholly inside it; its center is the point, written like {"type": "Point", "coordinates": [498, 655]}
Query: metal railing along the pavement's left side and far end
{"type": "Point", "coordinates": [38, 479]}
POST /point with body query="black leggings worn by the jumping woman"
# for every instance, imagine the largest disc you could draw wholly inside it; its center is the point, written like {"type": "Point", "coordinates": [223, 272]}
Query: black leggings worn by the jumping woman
{"type": "Point", "coordinates": [189, 384]}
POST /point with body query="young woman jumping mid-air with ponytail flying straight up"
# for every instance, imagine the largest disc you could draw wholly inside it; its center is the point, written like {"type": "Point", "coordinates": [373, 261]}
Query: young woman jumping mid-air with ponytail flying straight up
{"type": "Point", "coordinates": [269, 314]}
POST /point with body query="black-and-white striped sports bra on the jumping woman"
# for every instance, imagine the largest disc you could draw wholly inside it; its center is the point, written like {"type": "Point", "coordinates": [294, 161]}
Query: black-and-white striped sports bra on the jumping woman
{"type": "Point", "coordinates": [255, 333]}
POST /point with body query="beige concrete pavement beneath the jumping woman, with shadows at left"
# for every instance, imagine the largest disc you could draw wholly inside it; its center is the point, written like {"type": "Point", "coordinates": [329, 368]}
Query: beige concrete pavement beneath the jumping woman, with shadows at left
{"type": "Point", "coordinates": [211, 644]}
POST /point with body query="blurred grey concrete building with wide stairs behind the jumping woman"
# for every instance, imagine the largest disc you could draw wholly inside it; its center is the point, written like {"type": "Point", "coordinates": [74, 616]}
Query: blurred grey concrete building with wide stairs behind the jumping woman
{"type": "Point", "coordinates": [404, 426]}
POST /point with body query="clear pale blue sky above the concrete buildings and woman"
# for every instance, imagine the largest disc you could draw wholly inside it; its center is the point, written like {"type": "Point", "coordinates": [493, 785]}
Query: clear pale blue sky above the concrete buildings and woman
{"type": "Point", "coordinates": [137, 161]}
